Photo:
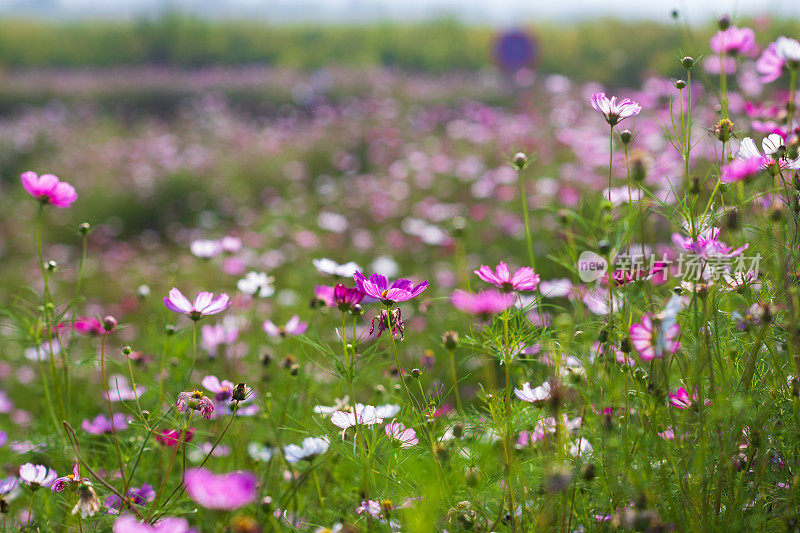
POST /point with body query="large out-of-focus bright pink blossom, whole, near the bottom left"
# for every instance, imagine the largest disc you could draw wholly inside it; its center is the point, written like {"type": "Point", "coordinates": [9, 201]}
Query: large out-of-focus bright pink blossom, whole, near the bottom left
{"type": "Point", "coordinates": [224, 492]}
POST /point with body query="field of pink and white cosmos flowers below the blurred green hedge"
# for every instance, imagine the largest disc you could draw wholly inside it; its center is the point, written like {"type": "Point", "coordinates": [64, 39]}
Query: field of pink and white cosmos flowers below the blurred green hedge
{"type": "Point", "coordinates": [246, 298]}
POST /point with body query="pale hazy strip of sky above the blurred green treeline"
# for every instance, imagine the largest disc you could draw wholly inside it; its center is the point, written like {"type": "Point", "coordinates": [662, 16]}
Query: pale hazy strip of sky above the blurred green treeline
{"type": "Point", "coordinates": [500, 12]}
